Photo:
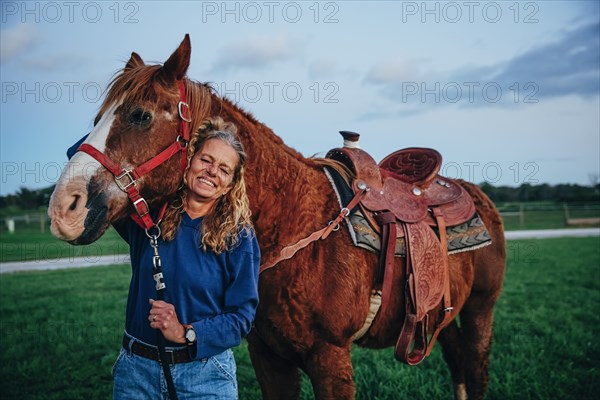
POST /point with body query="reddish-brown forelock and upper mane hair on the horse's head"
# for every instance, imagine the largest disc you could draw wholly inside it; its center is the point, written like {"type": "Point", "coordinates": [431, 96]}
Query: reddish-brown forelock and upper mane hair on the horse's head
{"type": "Point", "coordinates": [142, 83]}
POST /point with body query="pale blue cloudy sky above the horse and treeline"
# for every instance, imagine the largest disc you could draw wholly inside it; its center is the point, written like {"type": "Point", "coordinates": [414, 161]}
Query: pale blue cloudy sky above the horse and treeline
{"type": "Point", "coordinates": [508, 92]}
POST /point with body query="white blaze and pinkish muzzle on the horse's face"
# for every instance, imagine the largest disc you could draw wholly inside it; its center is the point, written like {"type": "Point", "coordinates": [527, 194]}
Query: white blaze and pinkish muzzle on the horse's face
{"type": "Point", "coordinates": [67, 208]}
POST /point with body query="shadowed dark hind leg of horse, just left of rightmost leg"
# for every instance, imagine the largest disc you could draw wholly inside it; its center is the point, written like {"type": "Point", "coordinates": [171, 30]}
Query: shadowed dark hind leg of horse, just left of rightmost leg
{"type": "Point", "coordinates": [450, 339]}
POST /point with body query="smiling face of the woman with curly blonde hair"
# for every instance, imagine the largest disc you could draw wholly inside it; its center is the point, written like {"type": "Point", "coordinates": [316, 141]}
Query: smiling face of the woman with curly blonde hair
{"type": "Point", "coordinates": [211, 171]}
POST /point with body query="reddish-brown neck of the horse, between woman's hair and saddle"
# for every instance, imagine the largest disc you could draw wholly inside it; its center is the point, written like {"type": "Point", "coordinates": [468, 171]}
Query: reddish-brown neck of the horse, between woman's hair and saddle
{"type": "Point", "coordinates": [283, 186]}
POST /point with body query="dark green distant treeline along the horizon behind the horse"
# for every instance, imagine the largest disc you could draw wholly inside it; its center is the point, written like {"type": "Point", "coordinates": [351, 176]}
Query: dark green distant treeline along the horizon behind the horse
{"type": "Point", "coordinates": [26, 199]}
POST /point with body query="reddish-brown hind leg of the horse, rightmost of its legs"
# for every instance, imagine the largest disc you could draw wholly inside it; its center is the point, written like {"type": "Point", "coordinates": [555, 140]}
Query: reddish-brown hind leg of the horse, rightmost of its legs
{"type": "Point", "coordinates": [476, 320]}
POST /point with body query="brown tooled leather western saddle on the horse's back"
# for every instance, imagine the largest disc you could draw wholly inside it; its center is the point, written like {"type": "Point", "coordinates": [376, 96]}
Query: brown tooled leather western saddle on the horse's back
{"type": "Point", "coordinates": [405, 197]}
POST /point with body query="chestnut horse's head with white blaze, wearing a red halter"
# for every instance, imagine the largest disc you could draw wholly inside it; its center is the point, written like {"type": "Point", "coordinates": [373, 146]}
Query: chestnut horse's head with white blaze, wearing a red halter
{"type": "Point", "coordinates": [139, 118]}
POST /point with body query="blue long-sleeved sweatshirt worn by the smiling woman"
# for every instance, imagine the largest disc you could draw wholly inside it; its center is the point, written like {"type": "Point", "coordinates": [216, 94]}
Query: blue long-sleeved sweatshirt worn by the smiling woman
{"type": "Point", "coordinates": [216, 294]}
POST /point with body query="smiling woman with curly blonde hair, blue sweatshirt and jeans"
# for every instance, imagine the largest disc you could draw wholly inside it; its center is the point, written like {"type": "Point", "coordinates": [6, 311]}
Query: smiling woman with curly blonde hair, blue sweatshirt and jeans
{"type": "Point", "coordinates": [210, 261]}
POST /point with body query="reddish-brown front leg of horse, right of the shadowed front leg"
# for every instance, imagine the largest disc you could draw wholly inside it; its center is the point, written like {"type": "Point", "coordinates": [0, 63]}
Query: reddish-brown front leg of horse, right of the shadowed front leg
{"type": "Point", "coordinates": [330, 371]}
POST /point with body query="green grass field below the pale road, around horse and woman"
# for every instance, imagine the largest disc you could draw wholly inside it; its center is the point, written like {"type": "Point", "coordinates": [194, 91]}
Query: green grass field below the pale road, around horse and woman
{"type": "Point", "coordinates": [60, 333]}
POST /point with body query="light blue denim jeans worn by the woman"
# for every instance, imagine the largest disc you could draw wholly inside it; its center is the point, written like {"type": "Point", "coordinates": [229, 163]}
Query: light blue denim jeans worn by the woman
{"type": "Point", "coordinates": [137, 378]}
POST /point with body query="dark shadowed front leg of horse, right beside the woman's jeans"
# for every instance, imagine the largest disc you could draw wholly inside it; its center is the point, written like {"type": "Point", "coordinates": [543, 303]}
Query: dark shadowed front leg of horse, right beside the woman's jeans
{"type": "Point", "coordinates": [279, 378]}
